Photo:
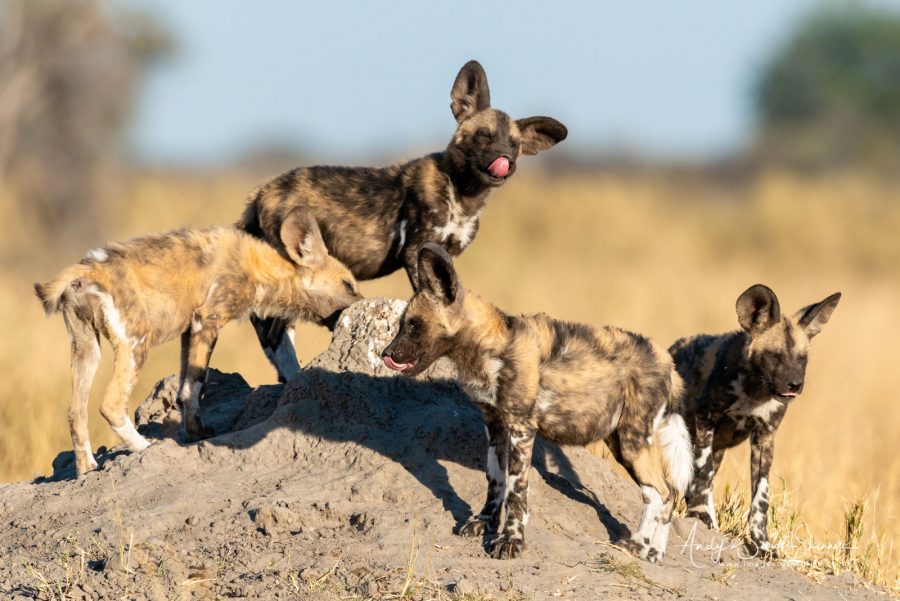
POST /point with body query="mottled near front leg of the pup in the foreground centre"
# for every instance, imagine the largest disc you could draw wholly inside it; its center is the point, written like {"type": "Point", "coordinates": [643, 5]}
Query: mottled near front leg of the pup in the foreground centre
{"type": "Point", "coordinates": [511, 541]}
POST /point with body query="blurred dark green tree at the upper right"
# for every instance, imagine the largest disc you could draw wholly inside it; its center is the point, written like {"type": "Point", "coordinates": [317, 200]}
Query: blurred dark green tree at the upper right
{"type": "Point", "coordinates": [831, 95]}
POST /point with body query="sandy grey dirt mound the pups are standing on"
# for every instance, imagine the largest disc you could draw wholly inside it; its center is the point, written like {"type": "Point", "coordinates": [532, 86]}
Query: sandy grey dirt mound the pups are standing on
{"type": "Point", "coordinates": [345, 484]}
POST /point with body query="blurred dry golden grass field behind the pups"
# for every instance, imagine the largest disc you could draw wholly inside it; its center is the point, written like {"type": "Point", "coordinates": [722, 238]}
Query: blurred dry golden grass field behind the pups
{"type": "Point", "coordinates": [660, 254]}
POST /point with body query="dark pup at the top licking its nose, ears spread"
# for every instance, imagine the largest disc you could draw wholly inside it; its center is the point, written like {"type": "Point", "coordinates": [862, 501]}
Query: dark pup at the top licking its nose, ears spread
{"type": "Point", "coordinates": [375, 220]}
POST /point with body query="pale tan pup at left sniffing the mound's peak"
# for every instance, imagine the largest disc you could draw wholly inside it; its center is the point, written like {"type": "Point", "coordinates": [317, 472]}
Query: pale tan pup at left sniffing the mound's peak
{"type": "Point", "coordinates": [189, 282]}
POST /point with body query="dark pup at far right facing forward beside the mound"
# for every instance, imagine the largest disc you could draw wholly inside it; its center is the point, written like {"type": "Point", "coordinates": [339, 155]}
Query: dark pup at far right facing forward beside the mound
{"type": "Point", "coordinates": [739, 385]}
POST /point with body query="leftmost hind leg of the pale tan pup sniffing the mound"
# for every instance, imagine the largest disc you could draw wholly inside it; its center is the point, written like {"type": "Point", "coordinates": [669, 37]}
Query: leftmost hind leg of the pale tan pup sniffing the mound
{"type": "Point", "coordinates": [85, 360]}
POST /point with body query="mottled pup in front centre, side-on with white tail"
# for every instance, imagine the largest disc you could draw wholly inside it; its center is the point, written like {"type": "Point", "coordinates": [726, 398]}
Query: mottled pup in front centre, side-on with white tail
{"type": "Point", "coordinates": [569, 383]}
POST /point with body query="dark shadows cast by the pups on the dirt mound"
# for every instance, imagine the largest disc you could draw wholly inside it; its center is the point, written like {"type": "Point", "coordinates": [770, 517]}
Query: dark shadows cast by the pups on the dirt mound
{"type": "Point", "coordinates": [416, 422]}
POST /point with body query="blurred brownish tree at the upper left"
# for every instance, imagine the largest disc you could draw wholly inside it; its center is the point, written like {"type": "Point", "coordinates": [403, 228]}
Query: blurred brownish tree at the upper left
{"type": "Point", "coordinates": [69, 71]}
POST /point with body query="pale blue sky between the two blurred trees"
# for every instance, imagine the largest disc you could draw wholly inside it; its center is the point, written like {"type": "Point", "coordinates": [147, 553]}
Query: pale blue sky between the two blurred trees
{"type": "Point", "coordinates": [353, 80]}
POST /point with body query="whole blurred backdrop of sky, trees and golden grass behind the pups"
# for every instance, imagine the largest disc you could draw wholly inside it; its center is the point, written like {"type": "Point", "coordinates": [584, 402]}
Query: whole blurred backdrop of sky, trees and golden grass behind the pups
{"type": "Point", "coordinates": [711, 147]}
